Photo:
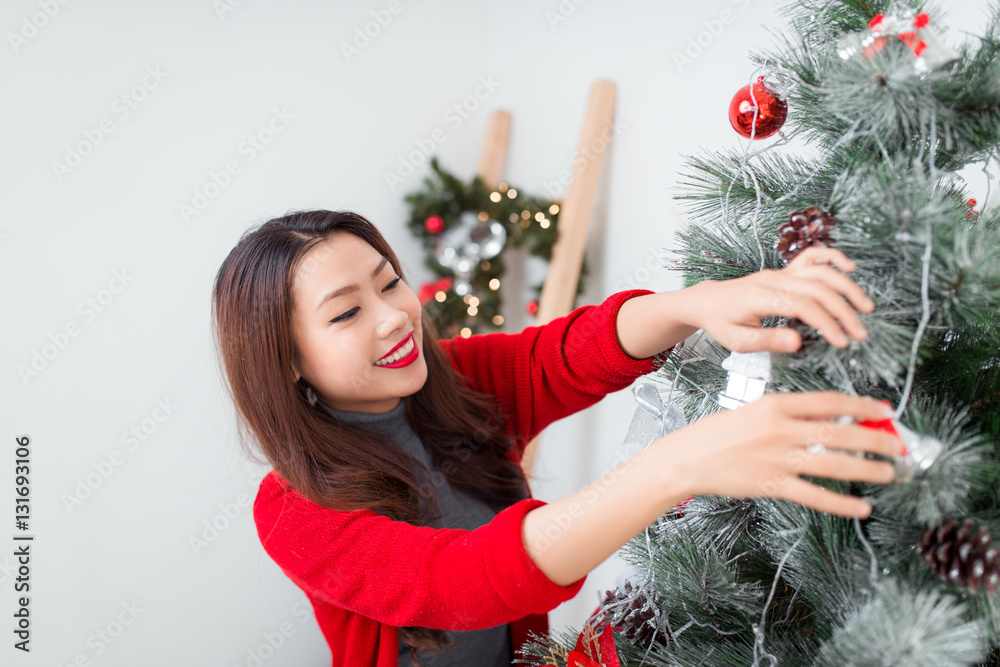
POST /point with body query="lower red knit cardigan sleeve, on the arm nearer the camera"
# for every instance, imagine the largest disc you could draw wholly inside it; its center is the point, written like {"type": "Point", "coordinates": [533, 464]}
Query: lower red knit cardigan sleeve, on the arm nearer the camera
{"type": "Point", "coordinates": [401, 574]}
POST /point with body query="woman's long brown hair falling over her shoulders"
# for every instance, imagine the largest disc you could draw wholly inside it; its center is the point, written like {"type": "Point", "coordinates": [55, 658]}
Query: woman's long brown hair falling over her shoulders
{"type": "Point", "coordinates": [339, 465]}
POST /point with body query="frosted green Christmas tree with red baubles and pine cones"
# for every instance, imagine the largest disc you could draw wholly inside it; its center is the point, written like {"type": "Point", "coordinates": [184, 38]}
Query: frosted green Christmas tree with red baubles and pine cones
{"type": "Point", "coordinates": [894, 122]}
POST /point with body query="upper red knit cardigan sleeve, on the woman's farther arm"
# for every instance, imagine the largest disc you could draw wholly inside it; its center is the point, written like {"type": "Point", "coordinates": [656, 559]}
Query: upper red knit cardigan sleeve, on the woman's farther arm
{"type": "Point", "coordinates": [548, 372]}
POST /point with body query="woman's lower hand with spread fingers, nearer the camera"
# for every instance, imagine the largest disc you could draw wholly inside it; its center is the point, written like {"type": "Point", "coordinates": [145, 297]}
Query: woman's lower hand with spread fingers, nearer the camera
{"type": "Point", "coordinates": [761, 449]}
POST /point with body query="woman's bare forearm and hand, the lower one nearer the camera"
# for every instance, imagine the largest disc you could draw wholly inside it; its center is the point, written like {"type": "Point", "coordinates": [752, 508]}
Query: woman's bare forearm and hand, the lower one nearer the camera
{"type": "Point", "coordinates": [756, 450]}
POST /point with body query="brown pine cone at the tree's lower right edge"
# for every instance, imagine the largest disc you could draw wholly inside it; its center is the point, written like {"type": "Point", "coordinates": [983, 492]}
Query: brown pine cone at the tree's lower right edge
{"type": "Point", "coordinates": [960, 555]}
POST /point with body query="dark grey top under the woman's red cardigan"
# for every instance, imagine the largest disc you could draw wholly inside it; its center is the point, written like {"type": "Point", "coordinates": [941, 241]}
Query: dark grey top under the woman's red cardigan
{"type": "Point", "coordinates": [480, 648]}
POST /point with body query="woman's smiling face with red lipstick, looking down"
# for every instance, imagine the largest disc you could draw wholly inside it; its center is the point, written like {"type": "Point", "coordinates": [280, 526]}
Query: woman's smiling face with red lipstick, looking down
{"type": "Point", "coordinates": [350, 311]}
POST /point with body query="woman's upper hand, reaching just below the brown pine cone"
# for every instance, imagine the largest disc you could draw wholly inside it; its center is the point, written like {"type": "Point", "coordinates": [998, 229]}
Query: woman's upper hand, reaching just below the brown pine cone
{"type": "Point", "coordinates": [808, 288]}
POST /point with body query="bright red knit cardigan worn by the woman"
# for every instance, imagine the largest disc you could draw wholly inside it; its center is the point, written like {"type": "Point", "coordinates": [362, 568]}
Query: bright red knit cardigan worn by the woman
{"type": "Point", "coordinates": [366, 575]}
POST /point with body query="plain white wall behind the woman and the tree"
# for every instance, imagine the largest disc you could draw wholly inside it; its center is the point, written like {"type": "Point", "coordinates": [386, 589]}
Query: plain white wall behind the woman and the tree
{"type": "Point", "coordinates": [65, 237]}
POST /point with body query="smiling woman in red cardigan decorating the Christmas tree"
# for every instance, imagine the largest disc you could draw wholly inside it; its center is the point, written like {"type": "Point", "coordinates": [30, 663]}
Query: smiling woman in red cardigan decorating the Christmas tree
{"type": "Point", "coordinates": [396, 501]}
